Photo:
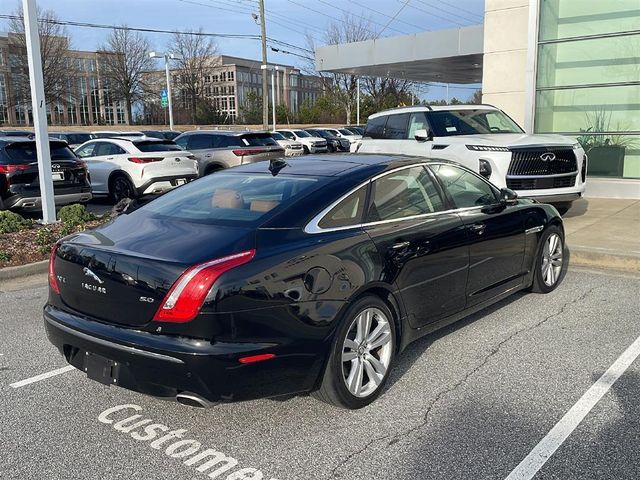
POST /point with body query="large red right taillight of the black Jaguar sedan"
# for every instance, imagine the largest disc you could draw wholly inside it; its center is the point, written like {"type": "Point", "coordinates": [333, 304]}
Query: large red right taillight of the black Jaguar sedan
{"type": "Point", "coordinates": [188, 293]}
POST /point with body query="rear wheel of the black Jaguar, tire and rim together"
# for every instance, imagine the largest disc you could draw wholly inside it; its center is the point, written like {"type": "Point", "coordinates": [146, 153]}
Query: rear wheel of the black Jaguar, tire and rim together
{"type": "Point", "coordinates": [359, 365]}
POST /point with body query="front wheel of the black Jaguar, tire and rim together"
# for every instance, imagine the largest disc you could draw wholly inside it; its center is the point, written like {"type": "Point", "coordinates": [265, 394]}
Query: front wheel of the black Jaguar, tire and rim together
{"type": "Point", "coordinates": [550, 266]}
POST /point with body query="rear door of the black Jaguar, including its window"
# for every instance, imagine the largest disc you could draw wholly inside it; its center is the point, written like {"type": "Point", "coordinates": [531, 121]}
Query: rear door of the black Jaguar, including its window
{"type": "Point", "coordinates": [422, 244]}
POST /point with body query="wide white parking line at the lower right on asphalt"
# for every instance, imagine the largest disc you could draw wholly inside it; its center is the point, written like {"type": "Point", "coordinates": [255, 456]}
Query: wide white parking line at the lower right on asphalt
{"type": "Point", "coordinates": [567, 424]}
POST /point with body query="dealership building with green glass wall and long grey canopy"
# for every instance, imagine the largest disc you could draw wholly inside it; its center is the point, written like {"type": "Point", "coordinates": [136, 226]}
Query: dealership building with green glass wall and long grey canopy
{"type": "Point", "coordinates": [556, 66]}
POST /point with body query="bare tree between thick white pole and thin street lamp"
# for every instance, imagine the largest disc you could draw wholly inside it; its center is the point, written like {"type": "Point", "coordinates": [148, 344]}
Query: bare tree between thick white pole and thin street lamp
{"type": "Point", "coordinates": [124, 60]}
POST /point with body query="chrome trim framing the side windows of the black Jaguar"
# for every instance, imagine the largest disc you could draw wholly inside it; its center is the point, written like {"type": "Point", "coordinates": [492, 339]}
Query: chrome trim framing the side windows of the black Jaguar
{"type": "Point", "coordinates": [312, 227]}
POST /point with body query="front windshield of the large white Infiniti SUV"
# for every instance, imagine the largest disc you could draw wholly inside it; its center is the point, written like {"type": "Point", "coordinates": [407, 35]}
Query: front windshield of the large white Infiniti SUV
{"type": "Point", "coordinates": [471, 122]}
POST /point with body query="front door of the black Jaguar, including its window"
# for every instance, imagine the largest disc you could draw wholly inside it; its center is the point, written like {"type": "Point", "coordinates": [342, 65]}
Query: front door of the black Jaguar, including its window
{"type": "Point", "coordinates": [495, 233]}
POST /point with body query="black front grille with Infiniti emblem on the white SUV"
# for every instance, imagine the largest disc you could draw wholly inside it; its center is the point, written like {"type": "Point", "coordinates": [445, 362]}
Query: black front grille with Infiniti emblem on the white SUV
{"type": "Point", "coordinates": [529, 161]}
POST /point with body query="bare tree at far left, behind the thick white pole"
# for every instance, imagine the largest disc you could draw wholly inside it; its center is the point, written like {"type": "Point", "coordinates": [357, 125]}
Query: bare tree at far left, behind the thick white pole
{"type": "Point", "coordinates": [54, 46]}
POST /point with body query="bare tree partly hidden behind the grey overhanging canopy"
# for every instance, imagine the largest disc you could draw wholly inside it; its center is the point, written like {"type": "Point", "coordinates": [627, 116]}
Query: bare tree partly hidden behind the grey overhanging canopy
{"type": "Point", "coordinates": [343, 86]}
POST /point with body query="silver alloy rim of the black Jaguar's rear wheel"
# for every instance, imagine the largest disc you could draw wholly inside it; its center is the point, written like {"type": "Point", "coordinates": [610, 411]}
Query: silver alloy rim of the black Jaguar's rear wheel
{"type": "Point", "coordinates": [366, 352]}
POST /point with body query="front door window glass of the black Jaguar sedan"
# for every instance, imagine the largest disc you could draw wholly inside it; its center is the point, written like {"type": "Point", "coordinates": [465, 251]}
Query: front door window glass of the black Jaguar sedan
{"type": "Point", "coordinates": [466, 189]}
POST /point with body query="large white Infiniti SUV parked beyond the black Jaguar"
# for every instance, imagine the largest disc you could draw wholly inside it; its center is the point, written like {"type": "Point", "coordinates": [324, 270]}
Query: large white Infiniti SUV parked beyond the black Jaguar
{"type": "Point", "coordinates": [548, 168]}
